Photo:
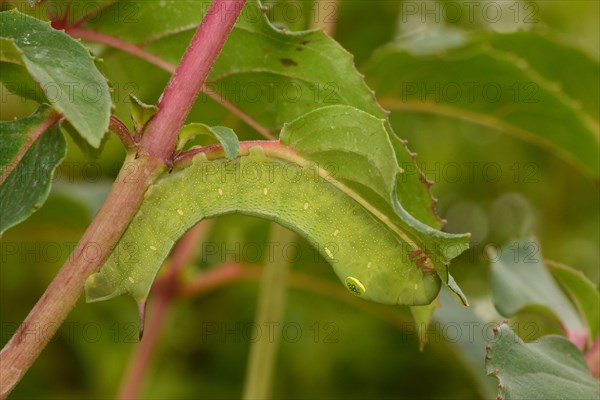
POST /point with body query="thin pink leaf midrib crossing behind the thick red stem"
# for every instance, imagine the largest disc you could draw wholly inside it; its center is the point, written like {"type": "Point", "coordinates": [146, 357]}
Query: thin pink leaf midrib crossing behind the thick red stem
{"type": "Point", "coordinates": [114, 42]}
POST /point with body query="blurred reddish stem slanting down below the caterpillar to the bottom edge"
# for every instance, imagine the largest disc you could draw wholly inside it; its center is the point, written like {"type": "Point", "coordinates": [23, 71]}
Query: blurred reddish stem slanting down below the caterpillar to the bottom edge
{"type": "Point", "coordinates": [162, 294]}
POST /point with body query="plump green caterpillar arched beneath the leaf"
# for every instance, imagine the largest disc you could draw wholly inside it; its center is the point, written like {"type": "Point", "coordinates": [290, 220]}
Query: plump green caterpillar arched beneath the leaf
{"type": "Point", "coordinates": [371, 259]}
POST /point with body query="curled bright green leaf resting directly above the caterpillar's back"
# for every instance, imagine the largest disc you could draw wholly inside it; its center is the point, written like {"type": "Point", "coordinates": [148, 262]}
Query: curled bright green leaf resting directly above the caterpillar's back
{"type": "Point", "coordinates": [356, 150]}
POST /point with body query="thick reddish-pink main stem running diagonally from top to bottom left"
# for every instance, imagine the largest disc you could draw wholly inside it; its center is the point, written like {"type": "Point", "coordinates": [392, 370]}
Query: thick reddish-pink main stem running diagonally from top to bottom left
{"type": "Point", "coordinates": [124, 198]}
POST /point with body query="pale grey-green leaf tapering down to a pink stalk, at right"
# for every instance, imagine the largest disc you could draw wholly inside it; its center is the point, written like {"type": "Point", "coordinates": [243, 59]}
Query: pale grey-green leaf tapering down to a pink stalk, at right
{"type": "Point", "coordinates": [520, 281]}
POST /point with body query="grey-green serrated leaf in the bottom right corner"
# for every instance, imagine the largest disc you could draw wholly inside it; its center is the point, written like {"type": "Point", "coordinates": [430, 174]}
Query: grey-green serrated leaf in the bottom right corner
{"type": "Point", "coordinates": [550, 368]}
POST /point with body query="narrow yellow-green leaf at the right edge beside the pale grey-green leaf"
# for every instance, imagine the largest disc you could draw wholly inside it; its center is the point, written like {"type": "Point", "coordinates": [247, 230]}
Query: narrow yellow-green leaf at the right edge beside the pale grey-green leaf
{"type": "Point", "coordinates": [583, 292]}
